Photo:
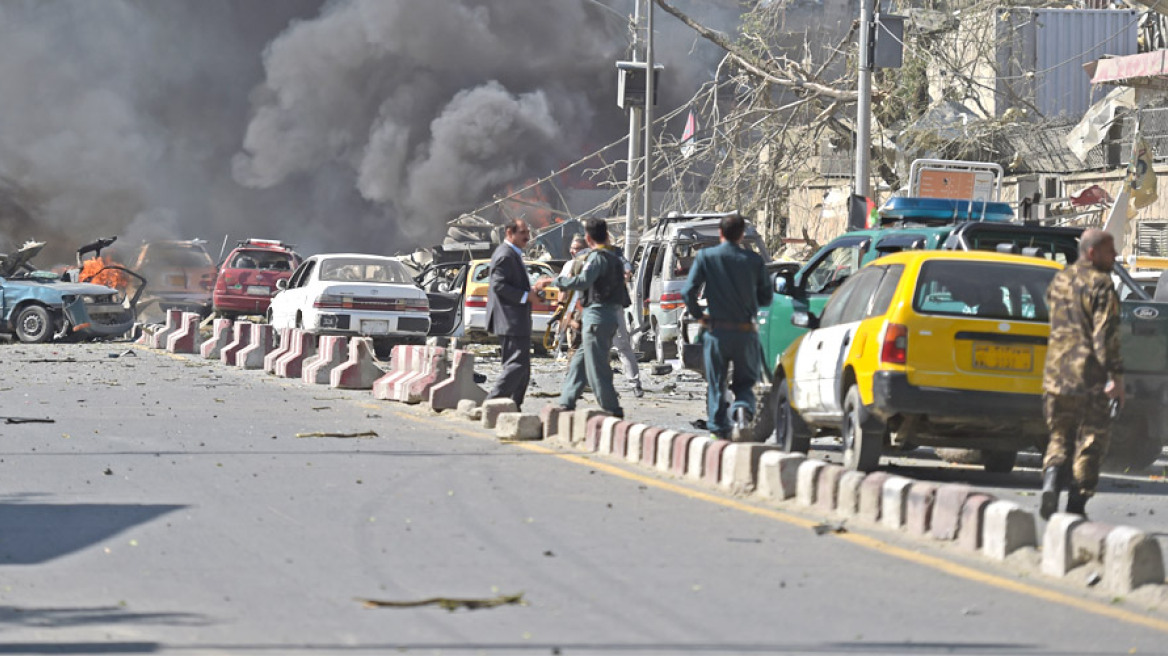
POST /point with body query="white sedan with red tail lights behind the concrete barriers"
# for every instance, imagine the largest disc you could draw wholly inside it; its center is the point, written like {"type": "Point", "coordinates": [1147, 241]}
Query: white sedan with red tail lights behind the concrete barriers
{"type": "Point", "coordinates": [353, 295]}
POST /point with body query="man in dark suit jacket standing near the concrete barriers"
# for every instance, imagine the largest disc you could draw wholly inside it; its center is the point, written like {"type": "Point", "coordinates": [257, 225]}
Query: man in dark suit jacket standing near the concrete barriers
{"type": "Point", "coordinates": [510, 312]}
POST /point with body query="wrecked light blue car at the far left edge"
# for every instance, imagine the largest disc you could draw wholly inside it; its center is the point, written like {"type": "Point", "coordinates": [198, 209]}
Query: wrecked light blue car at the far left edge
{"type": "Point", "coordinates": [38, 306]}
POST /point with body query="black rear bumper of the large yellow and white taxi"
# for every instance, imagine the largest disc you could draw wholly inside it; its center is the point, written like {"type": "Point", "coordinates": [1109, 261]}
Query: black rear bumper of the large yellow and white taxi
{"type": "Point", "coordinates": [894, 395]}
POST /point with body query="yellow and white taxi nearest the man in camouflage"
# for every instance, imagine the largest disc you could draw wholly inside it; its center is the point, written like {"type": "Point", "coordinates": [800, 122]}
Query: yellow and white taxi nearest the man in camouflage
{"type": "Point", "coordinates": [935, 348]}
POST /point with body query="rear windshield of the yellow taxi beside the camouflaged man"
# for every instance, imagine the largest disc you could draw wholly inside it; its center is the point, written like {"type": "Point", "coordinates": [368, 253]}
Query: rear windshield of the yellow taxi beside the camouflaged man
{"type": "Point", "coordinates": [984, 290]}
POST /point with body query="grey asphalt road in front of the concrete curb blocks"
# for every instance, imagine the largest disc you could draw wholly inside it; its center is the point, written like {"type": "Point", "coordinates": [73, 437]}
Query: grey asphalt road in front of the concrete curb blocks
{"type": "Point", "coordinates": [172, 508]}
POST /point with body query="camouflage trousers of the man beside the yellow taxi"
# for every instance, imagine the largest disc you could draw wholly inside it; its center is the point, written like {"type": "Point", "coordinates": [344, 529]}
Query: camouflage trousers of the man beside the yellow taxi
{"type": "Point", "coordinates": [1080, 434]}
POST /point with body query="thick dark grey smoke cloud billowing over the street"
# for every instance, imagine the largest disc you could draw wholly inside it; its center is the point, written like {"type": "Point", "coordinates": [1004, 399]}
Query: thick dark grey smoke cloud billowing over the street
{"type": "Point", "coordinates": [344, 125]}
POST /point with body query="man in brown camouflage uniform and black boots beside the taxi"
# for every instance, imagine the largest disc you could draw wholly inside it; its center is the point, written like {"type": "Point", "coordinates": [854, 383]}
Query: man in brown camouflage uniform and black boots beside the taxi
{"type": "Point", "coordinates": [1084, 369]}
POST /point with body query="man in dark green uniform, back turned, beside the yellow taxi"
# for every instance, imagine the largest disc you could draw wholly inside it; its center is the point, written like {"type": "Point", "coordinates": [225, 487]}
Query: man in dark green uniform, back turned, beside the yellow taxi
{"type": "Point", "coordinates": [736, 285]}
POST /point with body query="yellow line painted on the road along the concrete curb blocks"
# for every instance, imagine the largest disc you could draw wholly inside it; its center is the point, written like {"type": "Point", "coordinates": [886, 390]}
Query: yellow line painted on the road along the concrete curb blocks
{"type": "Point", "coordinates": [867, 542]}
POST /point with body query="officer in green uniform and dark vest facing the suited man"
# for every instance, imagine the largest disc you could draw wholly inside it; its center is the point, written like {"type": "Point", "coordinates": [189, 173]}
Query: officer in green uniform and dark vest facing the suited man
{"type": "Point", "coordinates": [606, 297]}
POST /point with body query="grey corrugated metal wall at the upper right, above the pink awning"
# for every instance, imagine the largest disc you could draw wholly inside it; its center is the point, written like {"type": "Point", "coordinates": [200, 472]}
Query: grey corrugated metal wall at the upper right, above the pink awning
{"type": "Point", "coordinates": [1054, 45]}
